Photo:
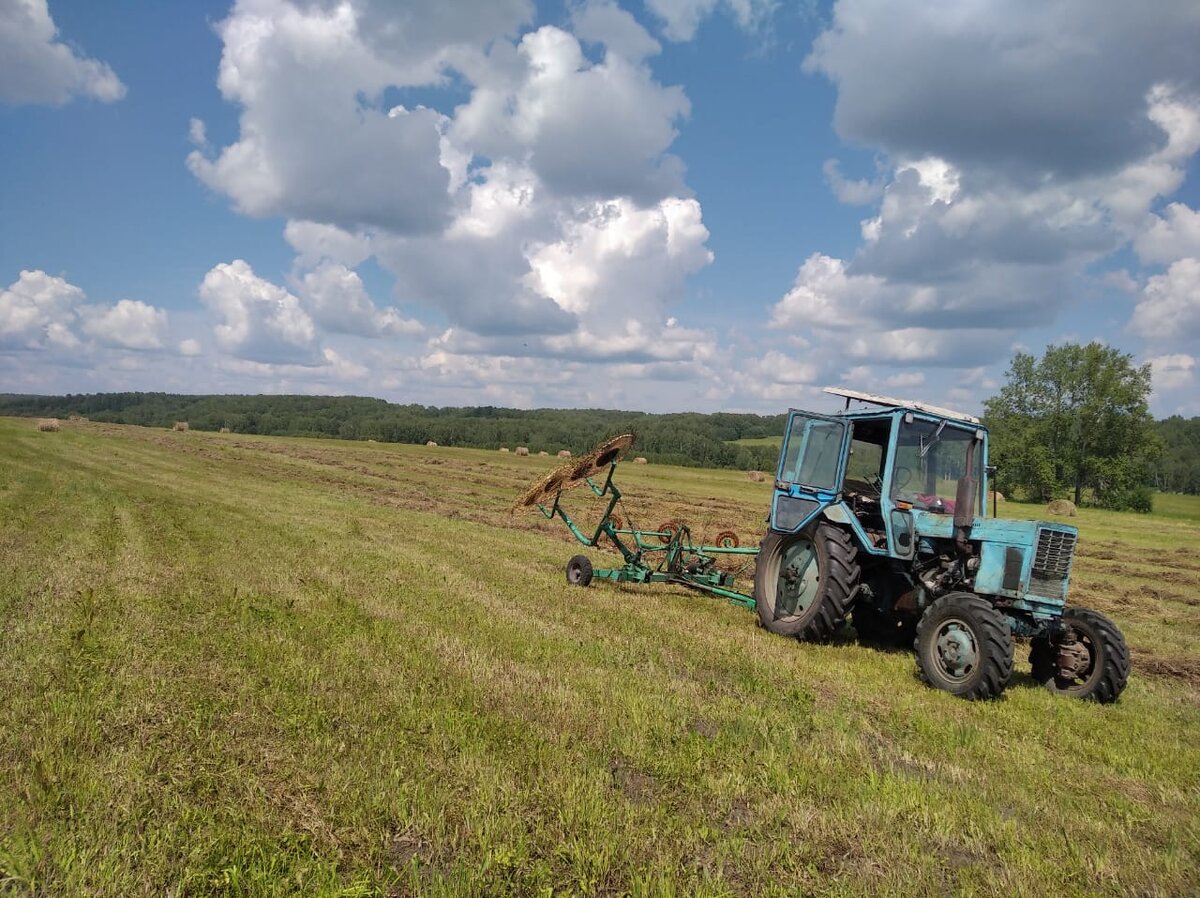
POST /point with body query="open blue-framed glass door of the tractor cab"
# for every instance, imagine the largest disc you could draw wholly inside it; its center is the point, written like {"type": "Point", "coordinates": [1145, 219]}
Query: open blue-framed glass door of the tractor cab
{"type": "Point", "coordinates": [812, 465]}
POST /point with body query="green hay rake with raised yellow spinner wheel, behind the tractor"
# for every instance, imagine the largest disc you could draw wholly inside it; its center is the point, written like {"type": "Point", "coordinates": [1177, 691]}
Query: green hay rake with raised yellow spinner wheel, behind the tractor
{"type": "Point", "coordinates": [664, 556]}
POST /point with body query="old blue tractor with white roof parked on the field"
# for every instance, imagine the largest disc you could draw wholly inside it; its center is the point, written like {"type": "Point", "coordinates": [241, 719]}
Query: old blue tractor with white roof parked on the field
{"type": "Point", "coordinates": [880, 516]}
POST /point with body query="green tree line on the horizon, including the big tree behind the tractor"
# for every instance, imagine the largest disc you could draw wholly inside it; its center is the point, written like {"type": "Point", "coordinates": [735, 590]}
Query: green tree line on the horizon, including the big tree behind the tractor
{"type": "Point", "coordinates": [1073, 423]}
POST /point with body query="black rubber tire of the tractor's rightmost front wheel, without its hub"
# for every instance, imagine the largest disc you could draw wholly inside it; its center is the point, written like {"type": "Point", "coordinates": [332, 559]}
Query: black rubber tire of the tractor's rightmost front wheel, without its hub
{"type": "Point", "coordinates": [1106, 680]}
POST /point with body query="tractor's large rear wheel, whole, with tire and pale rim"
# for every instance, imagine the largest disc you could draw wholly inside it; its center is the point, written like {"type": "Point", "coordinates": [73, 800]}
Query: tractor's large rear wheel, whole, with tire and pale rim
{"type": "Point", "coordinates": [805, 583]}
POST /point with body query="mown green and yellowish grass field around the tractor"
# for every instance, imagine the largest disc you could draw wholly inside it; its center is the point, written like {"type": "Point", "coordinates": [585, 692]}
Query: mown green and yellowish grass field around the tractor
{"type": "Point", "coordinates": [239, 666]}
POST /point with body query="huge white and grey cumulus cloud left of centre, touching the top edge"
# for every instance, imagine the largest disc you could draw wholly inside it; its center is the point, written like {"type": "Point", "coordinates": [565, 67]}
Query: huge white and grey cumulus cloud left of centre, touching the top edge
{"type": "Point", "coordinates": [548, 195]}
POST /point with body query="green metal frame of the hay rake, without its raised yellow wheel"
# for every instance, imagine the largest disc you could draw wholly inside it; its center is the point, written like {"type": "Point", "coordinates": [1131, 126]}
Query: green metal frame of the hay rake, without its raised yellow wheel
{"type": "Point", "coordinates": [682, 562]}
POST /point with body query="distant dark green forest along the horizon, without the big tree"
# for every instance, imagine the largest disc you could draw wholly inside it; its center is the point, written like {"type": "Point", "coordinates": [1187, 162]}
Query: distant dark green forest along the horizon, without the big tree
{"type": "Point", "coordinates": [685, 439]}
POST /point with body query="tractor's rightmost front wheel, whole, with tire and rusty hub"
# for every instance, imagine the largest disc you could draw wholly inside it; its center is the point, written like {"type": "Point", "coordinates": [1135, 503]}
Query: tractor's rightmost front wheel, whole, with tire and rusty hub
{"type": "Point", "coordinates": [1090, 660]}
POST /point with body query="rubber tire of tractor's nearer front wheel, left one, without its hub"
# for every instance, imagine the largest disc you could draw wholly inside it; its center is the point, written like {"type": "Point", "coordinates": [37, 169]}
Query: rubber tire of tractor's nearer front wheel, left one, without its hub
{"type": "Point", "coordinates": [988, 630]}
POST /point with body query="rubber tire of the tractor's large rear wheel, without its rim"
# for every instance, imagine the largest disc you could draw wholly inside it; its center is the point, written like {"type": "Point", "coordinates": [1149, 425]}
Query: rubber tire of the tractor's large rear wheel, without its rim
{"type": "Point", "coordinates": [837, 571]}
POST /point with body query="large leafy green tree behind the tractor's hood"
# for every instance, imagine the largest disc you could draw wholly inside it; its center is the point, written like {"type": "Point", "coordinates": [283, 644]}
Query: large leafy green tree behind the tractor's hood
{"type": "Point", "coordinates": [1077, 423]}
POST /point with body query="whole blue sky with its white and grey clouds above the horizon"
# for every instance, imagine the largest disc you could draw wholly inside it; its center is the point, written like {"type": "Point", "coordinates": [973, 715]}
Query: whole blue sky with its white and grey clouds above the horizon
{"type": "Point", "coordinates": [657, 205]}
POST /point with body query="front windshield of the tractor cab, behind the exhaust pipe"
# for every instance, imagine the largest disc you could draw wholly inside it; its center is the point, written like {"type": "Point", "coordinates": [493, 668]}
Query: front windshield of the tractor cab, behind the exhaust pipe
{"type": "Point", "coordinates": [931, 459]}
